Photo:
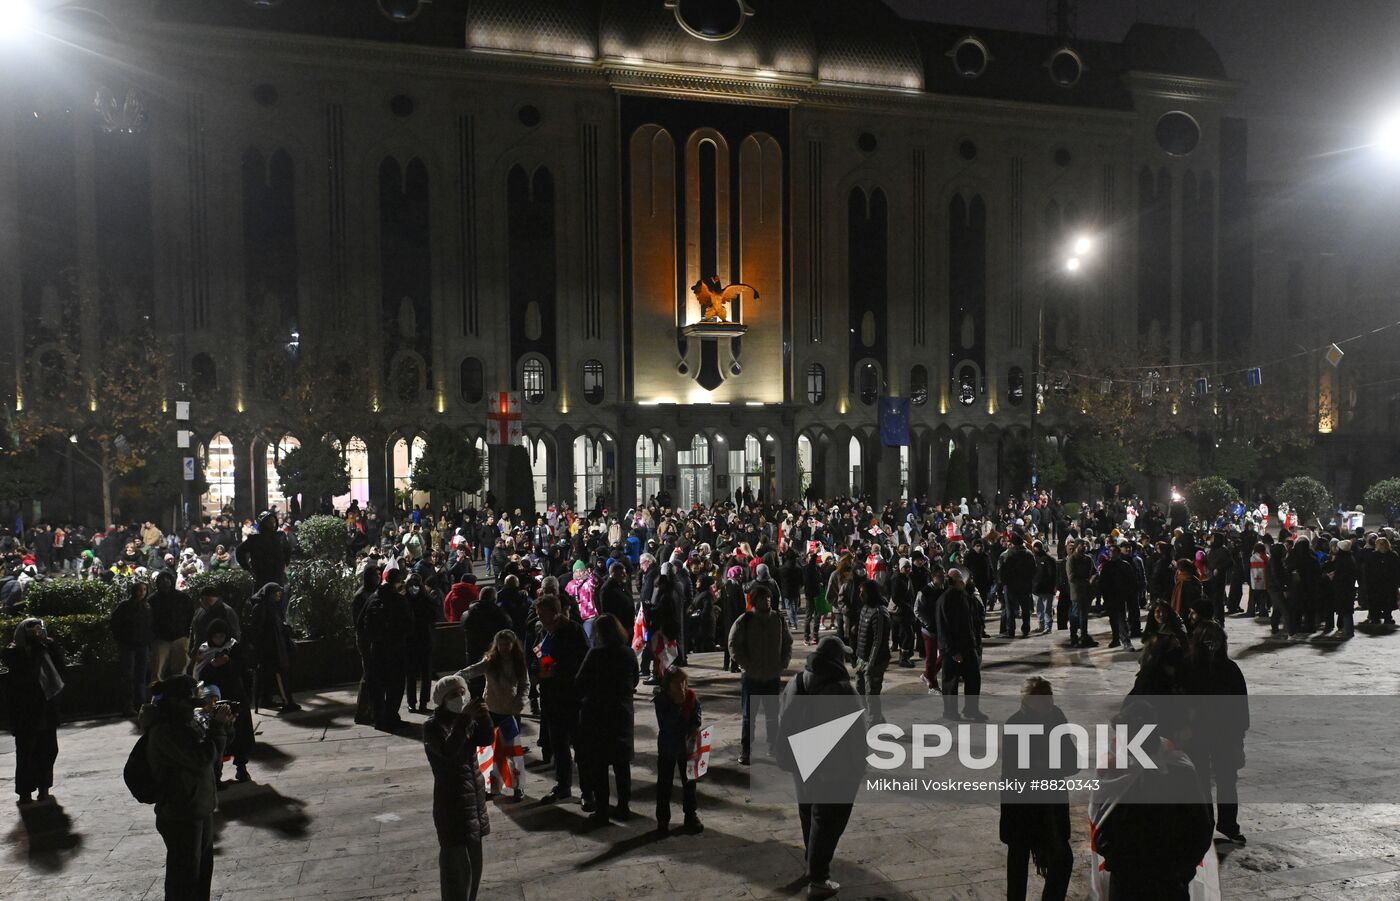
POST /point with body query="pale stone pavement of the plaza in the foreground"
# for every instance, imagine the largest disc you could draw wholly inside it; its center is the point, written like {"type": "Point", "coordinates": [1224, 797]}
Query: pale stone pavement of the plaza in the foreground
{"type": "Point", "coordinates": [345, 812]}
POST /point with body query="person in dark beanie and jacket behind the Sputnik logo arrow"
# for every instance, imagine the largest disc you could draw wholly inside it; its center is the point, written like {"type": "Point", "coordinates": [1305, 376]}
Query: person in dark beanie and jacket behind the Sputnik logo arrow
{"type": "Point", "coordinates": [841, 772]}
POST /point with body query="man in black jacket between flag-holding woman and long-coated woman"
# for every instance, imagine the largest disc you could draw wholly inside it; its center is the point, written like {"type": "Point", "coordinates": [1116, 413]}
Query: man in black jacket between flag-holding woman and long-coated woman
{"type": "Point", "coordinates": [562, 653]}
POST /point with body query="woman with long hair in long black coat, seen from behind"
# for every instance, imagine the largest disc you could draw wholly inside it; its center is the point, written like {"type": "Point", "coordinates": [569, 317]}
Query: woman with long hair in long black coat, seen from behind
{"type": "Point", "coordinates": [607, 682]}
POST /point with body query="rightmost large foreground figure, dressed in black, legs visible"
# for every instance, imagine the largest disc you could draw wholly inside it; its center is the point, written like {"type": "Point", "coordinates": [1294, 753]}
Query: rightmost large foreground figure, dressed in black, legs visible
{"type": "Point", "coordinates": [1217, 744]}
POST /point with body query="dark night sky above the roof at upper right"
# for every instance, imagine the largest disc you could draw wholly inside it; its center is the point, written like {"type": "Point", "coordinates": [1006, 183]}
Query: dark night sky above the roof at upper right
{"type": "Point", "coordinates": [1319, 73]}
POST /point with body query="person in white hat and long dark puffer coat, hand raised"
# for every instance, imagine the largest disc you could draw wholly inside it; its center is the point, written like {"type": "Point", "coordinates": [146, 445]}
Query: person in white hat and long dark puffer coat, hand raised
{"type": "Point", "coordinates": [451, 735]}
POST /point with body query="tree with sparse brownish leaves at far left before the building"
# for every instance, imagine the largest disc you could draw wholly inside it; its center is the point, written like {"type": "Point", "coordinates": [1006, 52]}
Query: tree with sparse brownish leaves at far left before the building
{"type": "Point", "coordinates": [114, 412]}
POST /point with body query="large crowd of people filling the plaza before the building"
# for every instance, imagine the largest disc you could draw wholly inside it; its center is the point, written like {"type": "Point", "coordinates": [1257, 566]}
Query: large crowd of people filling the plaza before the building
{"type": "Point", "coordinates": [577, 612]}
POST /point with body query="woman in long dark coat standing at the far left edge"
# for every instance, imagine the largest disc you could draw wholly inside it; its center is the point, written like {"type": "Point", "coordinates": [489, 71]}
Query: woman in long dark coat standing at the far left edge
{"type": "Point", "coordinates": [33, 688]}
